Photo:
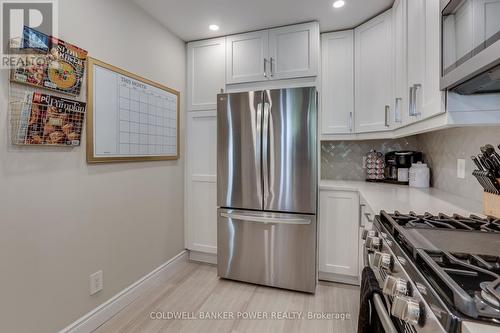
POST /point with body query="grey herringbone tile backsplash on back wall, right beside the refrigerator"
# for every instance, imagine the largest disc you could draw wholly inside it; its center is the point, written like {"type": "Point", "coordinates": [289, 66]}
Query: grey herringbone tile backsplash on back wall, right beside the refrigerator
{"type": "Point", "coordinates": [344, 159]}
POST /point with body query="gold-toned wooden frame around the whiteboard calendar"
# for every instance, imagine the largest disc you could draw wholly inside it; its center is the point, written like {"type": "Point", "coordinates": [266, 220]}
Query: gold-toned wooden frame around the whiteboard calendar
{"type": "Point", "coordinates": [91, 157]}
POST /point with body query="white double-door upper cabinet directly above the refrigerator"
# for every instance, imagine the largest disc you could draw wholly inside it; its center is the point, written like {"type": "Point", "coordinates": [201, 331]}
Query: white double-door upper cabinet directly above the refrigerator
{"type": "Point", "coordinates": [281, 53]}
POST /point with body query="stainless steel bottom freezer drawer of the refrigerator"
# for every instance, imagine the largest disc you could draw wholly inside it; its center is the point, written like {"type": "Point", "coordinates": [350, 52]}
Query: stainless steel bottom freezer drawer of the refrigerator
{"type": "Point", "coordinates": [266, 248]}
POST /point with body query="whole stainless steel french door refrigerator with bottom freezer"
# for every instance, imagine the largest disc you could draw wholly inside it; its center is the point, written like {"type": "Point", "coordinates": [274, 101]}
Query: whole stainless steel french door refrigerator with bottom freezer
{"type": "Point", "coordinates": [267, 187]}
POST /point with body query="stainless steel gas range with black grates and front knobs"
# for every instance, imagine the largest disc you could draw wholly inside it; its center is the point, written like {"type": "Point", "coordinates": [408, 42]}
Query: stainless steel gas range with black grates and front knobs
{"type": "Point", "coordinates": [437, 272]}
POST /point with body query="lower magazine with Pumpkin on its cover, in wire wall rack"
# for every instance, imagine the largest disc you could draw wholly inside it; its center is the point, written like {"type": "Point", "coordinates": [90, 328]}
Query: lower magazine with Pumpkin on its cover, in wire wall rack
{"type": "Point", "coordinates": [55, 121]}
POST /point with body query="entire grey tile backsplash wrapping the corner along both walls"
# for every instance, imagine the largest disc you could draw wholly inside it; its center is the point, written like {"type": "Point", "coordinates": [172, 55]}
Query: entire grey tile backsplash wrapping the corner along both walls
{"type": "Point", "coordinates": [343, 159]}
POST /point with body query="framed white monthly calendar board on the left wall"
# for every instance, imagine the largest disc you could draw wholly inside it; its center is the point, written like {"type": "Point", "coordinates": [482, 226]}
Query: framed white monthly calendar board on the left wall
{"type": "Point", "coordinates": [129, 118]}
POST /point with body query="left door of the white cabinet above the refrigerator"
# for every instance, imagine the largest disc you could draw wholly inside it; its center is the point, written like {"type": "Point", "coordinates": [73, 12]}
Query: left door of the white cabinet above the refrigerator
{"type": "Point", "coordinates": [246, 57]}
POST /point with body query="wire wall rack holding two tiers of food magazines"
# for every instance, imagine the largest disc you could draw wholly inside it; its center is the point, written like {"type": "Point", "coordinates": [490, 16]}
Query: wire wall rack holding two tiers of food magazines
{"type": "Point", "coordinates": [49, 69]}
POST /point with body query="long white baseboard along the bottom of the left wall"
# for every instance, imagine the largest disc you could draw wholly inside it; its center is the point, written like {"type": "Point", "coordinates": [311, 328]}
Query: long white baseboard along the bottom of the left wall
{"type": "Point", "coordinates": [108, 309]}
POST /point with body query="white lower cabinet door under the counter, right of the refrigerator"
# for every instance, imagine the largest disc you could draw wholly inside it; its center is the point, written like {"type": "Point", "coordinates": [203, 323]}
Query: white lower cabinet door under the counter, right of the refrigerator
{"type": "Point", "coordinates": [339, 233]}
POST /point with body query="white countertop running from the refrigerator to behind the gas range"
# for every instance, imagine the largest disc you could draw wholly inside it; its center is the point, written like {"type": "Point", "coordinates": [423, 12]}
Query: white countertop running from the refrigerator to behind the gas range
{"type": "Point", "coordinates": [390, 197]}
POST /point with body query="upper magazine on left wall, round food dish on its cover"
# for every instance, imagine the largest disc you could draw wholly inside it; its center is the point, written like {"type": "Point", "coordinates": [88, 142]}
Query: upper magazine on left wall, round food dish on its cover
{"type": "Point", "coordinates": [60, 68]}
